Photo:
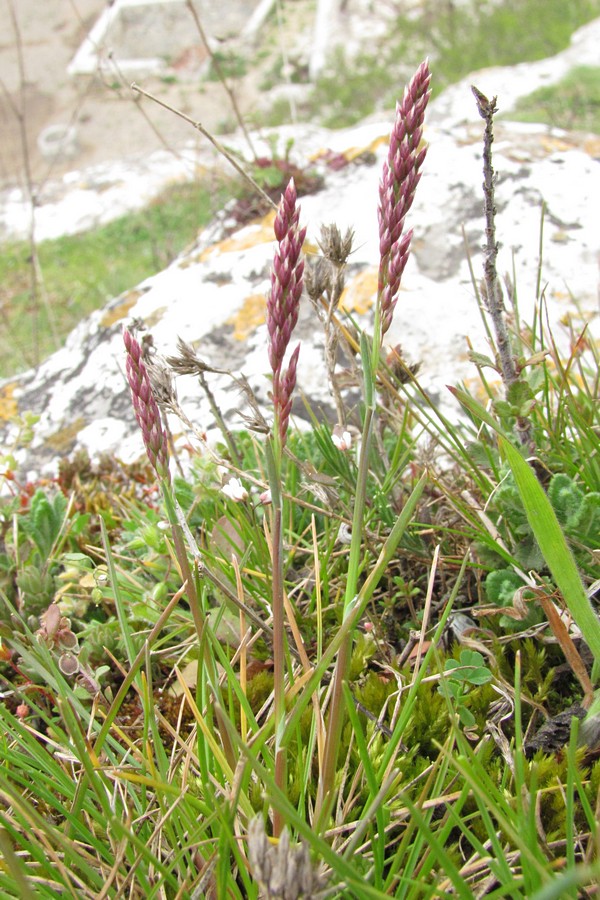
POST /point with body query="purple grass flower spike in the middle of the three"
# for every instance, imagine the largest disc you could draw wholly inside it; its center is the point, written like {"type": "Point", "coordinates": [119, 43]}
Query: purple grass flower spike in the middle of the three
{"type": "Point", "coordinates": [283, 304]}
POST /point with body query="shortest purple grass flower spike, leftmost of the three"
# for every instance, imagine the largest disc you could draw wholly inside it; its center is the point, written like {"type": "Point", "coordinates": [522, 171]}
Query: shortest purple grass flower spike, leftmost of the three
{"type": "Point", "coordinates": [145, 407]}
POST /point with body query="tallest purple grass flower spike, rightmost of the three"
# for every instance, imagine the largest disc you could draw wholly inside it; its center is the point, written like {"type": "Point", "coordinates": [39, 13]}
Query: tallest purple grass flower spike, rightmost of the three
{"type": "Point", "coordinates": [401, 175]}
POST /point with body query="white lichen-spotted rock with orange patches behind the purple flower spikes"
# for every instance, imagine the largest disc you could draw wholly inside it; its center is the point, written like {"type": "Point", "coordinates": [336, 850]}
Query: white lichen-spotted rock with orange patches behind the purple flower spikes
{"type": "Point", "coordinates": [213, 296]}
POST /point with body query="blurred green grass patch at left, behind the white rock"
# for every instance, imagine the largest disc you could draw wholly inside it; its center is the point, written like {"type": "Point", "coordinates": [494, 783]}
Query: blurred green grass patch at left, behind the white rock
{"type": "Point", "coordinates": [83, 272]}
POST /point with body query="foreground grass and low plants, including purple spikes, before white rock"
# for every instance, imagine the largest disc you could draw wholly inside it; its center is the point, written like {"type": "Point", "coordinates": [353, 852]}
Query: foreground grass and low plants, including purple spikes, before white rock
{"type": "Point", "coordinates": [358, 661]}
